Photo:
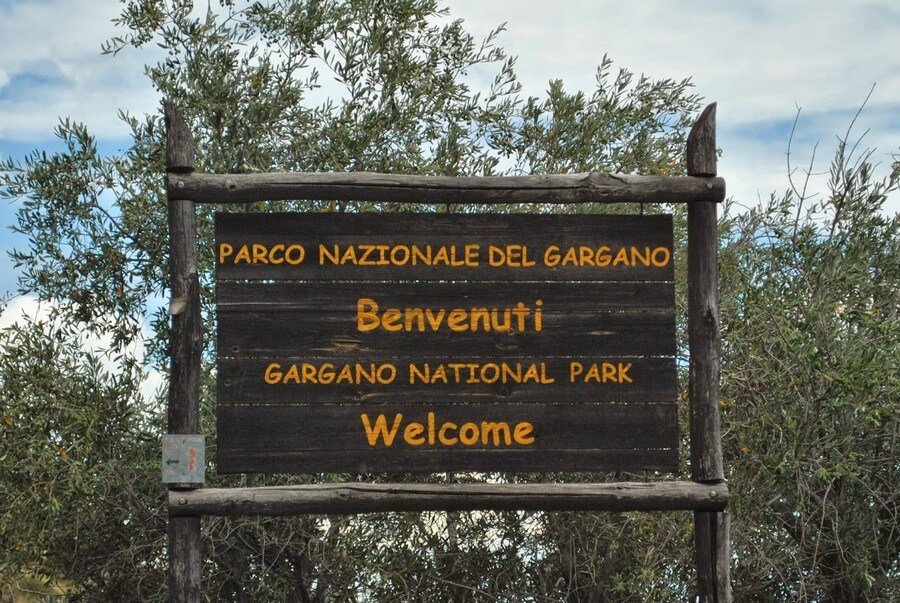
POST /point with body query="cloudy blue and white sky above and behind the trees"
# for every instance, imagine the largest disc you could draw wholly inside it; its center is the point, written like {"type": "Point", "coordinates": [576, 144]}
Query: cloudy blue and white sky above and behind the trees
{"type": "Point", "coordinates": [760, 61]}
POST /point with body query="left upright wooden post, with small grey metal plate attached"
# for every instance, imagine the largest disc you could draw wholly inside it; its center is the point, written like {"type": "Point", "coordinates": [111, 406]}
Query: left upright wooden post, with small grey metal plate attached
{"type": "Point", "coordinates": [185, 346]}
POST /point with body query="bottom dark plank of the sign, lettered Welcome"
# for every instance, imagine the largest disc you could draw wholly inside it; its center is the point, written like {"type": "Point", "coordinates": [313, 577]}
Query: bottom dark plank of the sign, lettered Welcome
{"type": "Point", "coordinates": [324, 438]}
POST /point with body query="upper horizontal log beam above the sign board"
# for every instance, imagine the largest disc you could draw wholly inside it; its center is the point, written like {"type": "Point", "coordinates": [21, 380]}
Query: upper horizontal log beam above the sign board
{"type": "Point", "coordinates": [592, 187]}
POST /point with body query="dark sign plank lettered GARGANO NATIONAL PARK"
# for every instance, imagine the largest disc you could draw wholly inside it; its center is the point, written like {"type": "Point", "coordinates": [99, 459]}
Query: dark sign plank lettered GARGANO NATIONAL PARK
{"type": "Point", "coordinates": [242, 381]}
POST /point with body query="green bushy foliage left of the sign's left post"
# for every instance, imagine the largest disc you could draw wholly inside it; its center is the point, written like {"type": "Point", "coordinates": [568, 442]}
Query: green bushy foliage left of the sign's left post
{"type": "Point", "coordinates": [79, 468]}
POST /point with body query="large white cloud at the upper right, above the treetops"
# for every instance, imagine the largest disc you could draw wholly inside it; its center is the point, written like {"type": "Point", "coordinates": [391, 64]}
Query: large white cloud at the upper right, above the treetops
{"type": "Point", "coordinates": [760, 58]}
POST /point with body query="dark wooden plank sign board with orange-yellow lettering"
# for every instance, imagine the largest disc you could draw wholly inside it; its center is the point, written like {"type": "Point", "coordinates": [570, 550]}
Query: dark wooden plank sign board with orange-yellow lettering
{"type": "Point", "coordinates": [445, 342]}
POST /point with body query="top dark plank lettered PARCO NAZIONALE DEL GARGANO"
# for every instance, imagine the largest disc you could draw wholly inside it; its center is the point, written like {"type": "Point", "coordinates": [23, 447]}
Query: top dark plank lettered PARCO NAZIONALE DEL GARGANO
{"type": "Point", "coordinates": [499, 238]}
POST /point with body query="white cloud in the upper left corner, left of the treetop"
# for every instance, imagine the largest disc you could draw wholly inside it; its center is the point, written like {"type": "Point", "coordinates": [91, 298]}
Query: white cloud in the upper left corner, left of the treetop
{"type": "Point", "coordinates": [53, 68]}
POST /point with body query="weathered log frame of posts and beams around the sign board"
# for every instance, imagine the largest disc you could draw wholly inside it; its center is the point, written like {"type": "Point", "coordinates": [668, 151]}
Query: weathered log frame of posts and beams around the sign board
{"type": "Point", "coordinates": [706, 493]}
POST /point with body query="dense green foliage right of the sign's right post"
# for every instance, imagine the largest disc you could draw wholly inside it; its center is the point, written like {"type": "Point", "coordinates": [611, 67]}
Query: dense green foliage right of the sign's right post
{"type": "Point", "coordinates": [811, 320]}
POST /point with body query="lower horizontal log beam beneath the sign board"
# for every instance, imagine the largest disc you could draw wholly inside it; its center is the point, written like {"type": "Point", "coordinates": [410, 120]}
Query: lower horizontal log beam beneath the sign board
{"type": "Point", "coordinates": [349, 498]}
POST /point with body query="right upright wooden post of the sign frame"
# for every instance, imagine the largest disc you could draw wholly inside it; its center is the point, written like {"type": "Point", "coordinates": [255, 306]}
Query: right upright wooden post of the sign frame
{"type": "Point", "coordinates": [711, 537]}
